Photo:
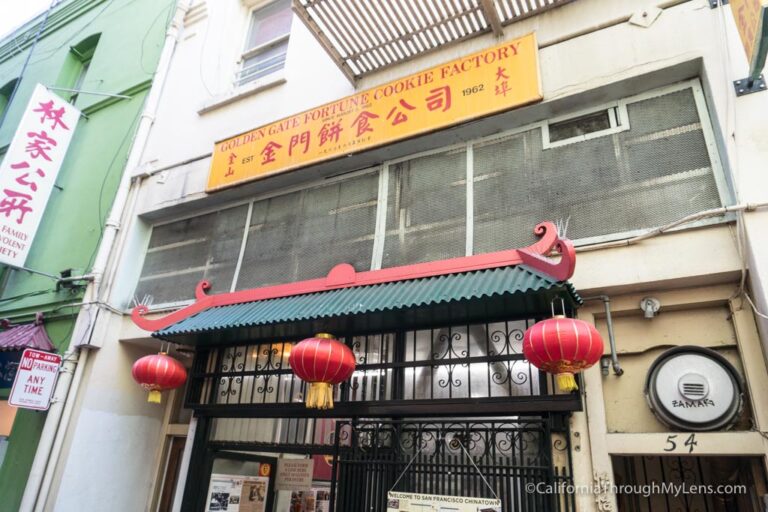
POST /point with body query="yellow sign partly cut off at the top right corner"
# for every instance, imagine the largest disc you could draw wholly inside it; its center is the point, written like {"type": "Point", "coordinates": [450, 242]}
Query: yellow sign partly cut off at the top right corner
{"type": "Point", "coordinates": [751, 18]}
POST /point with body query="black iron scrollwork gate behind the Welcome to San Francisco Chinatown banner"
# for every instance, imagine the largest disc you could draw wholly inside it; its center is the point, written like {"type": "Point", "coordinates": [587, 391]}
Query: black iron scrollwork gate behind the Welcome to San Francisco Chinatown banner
{"type": "Point", "coordinates": [522, 461]}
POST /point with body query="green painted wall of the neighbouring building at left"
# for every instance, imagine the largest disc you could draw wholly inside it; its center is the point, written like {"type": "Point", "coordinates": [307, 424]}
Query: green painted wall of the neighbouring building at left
{"type": "Point", "coordinates": [131, 36]}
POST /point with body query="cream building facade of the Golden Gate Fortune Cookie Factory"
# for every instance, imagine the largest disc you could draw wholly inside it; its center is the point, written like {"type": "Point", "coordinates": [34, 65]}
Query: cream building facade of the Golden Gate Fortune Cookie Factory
{"type": "Point", "coordinates": [620, 125]}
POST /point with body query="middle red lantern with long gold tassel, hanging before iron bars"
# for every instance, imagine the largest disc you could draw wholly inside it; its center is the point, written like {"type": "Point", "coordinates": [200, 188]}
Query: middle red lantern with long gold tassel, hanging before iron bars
{"type": "Point", "coordinates": [322, 361]}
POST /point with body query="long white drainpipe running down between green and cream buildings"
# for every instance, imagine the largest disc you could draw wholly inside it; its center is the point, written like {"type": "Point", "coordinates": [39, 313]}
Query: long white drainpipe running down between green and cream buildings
{"type": "Point", "coordinates": [53, 435]}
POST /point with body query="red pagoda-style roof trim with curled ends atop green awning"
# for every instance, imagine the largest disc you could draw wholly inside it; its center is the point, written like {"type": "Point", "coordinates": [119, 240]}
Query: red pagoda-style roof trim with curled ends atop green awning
{"type": "Point", "coordinates": [345, 276]}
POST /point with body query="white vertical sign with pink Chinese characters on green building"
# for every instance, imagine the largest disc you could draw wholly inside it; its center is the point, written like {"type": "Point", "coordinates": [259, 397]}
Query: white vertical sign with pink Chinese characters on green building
{"type": "Point", "coordinates": [29, 170]}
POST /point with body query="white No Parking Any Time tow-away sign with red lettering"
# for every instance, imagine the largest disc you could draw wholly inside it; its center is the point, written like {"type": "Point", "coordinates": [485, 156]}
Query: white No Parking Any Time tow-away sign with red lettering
{"type": "Point", "coordinates": [35, 380]}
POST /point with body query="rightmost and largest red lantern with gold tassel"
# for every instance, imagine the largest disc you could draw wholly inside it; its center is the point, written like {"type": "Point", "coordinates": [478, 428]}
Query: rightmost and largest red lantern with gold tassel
{"type": "Point", "coordinates": [563, 346]}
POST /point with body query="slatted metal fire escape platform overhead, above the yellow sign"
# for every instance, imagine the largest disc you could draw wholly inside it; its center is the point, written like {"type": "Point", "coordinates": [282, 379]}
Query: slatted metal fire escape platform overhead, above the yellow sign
{"type": "Point", "coordinates": [363, 37]}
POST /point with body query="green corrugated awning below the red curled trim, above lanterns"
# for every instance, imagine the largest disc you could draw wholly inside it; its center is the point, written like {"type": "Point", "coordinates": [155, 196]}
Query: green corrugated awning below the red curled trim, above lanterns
{"type": "Point", "coordinates": [530, 290]}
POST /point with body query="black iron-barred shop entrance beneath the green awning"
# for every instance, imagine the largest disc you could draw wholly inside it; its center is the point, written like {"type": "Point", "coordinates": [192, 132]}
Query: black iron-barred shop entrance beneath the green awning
{"type": "Point", "coordinates": [450, 410]}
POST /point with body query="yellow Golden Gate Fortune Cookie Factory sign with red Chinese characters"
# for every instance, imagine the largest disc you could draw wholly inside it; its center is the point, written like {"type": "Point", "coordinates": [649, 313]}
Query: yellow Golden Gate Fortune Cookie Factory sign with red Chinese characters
{"type": "Point", "coordinates": [490, 81]}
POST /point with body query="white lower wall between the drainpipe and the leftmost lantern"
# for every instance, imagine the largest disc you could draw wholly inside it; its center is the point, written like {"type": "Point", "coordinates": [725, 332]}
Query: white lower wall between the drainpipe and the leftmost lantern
{"type": "Point", "coordinates": [110, 450]}
